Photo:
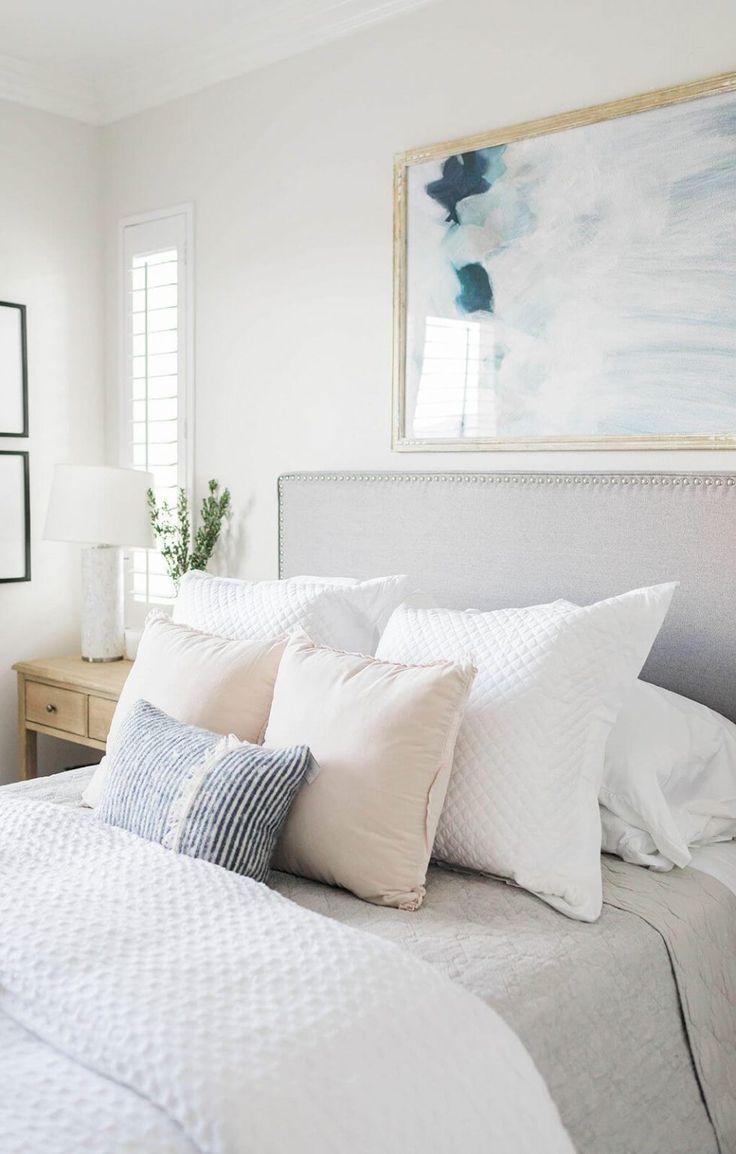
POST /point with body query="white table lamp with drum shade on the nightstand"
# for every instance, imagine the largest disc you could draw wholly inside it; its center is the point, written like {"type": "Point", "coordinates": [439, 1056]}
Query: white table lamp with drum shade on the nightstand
{"type": "Point", "coordinates": [103, 509]}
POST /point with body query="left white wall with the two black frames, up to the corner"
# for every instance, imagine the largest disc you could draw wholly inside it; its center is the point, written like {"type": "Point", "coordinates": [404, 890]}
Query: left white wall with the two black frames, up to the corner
{"type": "Point", "coordinates": [50, 260]}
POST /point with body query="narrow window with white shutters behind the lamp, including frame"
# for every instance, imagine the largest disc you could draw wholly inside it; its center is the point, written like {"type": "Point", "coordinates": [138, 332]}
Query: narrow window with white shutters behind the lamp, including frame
{"type": "Point", "coordinates": [156, 379]}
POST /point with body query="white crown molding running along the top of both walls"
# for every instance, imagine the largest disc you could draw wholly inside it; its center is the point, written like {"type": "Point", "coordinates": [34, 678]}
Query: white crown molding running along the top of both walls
{"type": "Point", "coordinates": [280, 31]}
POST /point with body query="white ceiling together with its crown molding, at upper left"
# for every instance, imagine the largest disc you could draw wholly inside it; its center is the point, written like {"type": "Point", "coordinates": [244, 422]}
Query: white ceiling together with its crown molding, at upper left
{"type": "Point", "coordinates": [101, 61]}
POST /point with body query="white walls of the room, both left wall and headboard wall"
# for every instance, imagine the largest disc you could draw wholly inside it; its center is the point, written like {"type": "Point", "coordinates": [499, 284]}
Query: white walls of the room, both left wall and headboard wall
{"type": "Point", "coordinates": [290, 171]}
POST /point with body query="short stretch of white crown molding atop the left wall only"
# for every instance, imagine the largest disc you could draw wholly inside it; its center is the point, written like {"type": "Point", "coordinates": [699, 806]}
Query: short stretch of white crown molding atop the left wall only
{"type": "Point", "coordinates": [50, 91]}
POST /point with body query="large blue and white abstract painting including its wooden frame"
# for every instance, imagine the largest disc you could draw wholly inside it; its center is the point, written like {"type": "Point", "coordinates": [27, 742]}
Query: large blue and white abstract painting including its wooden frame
{"type": "Point", "coordinates": [570, 283]}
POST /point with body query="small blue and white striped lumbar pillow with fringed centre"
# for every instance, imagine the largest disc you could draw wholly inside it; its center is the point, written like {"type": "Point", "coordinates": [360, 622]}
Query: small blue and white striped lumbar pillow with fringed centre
{"type": "Point", "coordinates": [201, 793]}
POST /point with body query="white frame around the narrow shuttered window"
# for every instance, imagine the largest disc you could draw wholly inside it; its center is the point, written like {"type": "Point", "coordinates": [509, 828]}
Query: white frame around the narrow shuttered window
{"type": "Point", "coordinates": [186, 366]}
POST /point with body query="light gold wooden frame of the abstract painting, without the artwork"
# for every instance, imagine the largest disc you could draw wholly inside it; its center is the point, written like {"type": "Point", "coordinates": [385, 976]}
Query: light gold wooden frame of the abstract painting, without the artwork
{"type": "Point", "coordinates": [404, 440]}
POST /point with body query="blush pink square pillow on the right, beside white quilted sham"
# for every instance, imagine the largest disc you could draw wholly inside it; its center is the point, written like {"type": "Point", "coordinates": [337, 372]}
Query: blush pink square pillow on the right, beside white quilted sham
{"type": "Point", "coordinates": [384, 737]}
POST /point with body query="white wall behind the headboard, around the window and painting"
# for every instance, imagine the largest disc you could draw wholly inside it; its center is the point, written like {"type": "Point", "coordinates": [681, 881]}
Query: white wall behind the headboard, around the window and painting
{"type": "Point", "coordinates": [290, 171]}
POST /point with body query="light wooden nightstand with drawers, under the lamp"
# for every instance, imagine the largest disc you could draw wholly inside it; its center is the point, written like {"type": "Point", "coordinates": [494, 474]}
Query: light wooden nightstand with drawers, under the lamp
{"type": "Point", "coordinates": [66, 698]}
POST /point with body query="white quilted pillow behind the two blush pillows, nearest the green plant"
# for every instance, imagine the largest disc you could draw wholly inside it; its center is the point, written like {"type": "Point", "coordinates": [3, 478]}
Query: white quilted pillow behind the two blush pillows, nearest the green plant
{"type": "Point", "coordinates": [346, 617]}
